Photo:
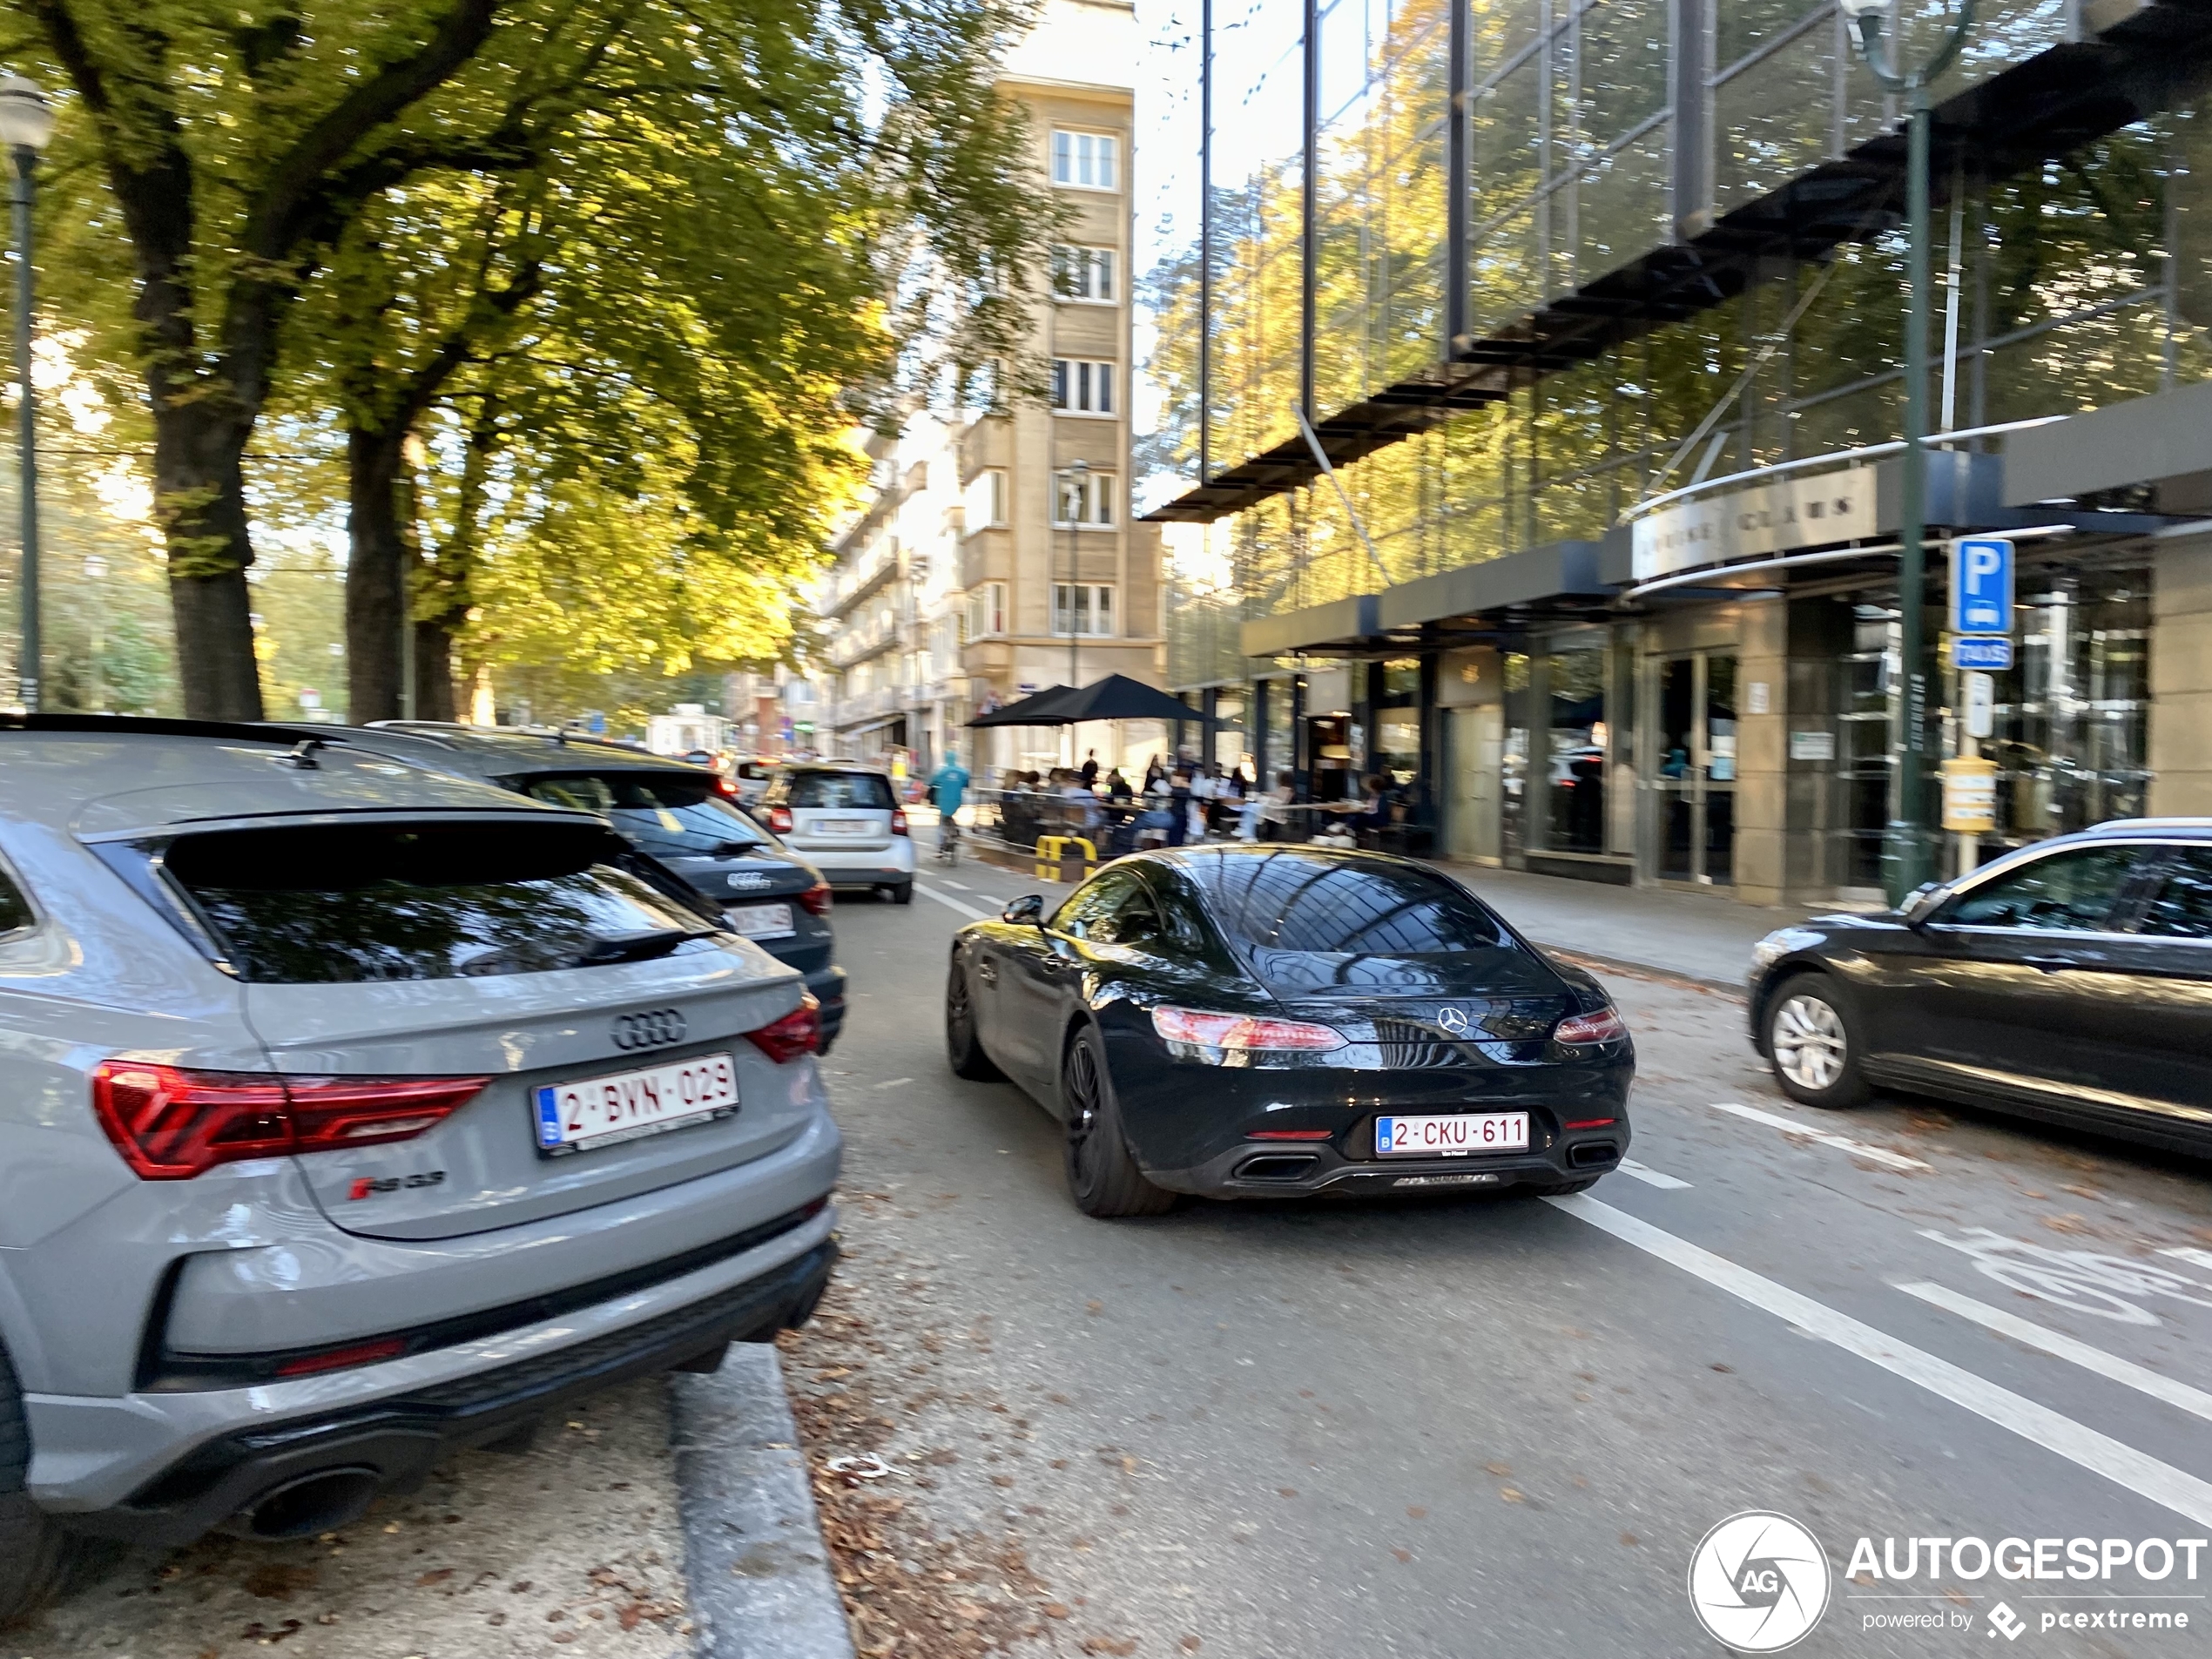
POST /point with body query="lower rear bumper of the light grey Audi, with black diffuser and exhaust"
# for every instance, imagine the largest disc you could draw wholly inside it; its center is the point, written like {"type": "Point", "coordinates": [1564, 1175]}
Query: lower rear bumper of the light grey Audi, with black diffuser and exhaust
{"type": "Point", "coordinates": [194, 1461]}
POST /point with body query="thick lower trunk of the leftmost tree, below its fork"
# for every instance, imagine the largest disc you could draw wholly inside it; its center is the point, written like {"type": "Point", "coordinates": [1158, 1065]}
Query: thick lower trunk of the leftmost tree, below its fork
{"type": "Point", "coordinates": [200, 499]}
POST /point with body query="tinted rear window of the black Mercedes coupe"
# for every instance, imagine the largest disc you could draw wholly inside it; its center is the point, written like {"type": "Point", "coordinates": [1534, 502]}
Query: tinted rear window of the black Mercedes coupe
{"type": "Point", "coordinates": [1322, 926]}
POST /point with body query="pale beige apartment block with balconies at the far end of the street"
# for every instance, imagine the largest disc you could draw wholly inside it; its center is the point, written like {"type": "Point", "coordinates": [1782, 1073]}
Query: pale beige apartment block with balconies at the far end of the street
{"type": "Point", "coordinates": [997, 554]}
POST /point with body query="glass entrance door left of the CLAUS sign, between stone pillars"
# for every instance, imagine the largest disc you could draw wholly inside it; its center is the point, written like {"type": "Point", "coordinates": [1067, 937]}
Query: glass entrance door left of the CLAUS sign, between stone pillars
{"type": "Point", "coordinates": [1695, 769]}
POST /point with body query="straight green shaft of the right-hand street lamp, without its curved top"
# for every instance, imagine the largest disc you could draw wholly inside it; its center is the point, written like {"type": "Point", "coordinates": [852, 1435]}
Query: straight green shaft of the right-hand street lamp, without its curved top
{"type": "Point", "coordinates": [1908, 855]}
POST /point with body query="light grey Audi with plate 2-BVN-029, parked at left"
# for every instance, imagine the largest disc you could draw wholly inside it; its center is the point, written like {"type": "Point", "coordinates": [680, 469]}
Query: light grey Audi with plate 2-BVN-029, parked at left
{"type": "Point", "coordinates": [353, 1114]}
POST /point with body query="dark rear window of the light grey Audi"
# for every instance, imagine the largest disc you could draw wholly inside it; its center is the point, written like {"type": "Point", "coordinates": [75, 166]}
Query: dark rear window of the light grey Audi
{"type": "Point", "coordinates": [351, 904]}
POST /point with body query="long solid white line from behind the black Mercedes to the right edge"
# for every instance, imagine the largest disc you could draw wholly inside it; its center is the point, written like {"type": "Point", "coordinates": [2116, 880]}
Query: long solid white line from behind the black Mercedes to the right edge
{"type": "Point", "coordinates": [2052, 1430]}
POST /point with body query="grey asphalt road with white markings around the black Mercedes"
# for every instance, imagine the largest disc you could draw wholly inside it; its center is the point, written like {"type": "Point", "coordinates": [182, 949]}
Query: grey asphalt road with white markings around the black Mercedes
{"type": "Point", "coordinates": [1503, 1426]}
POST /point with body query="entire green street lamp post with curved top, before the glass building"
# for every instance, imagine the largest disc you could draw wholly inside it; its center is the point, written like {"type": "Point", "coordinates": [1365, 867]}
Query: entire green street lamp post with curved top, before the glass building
{"type": "Point", "coordinates": [1910, 842]}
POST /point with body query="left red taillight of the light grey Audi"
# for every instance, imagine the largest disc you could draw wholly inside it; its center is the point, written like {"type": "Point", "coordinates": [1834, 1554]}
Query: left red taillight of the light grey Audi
{"type": "Point", "coordinates": [174, 1125]}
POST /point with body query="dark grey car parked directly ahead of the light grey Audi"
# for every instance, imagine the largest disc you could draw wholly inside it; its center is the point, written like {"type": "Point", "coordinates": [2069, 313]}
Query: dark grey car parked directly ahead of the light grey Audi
{"type": "Point", "coordinates": [682, 815]}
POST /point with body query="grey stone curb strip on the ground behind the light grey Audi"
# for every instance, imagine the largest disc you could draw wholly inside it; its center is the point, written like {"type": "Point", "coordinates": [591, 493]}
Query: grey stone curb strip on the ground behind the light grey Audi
{"type": "Point", "coordinates": [753, 1545]}
